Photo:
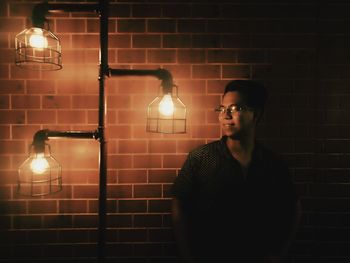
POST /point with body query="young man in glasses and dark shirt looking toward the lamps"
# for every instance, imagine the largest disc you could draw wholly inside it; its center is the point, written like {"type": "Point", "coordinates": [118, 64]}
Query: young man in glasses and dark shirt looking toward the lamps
{"type": "Point", "coordinates": [233, 199]}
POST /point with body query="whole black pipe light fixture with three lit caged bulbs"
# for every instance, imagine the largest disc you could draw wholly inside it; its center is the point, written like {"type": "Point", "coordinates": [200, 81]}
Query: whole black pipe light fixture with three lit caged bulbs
{"type": "Point", "coordinates": [39, 49]}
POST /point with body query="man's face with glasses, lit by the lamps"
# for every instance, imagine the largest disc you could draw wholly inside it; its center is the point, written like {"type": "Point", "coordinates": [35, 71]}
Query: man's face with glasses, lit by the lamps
{"type": "Point", "coordinates": [238, 122]}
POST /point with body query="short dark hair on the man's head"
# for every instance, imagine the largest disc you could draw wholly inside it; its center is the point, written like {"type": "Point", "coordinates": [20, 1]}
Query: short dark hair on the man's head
{"type": "Point", "coordinates": [254, 94]}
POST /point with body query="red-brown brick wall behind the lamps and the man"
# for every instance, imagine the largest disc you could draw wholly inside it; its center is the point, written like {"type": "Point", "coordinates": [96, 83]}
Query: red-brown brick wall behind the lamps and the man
{"type": "Point", "coordinates": [299, 49]}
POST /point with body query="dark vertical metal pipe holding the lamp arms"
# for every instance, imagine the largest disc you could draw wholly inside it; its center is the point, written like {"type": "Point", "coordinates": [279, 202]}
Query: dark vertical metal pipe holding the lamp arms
{"type": "Point", "coordinates": [102, 199]}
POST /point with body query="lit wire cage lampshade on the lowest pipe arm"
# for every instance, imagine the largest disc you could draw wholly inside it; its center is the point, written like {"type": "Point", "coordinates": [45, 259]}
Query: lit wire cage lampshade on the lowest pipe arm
{"type": "Point", "coordinates": [40, 174]}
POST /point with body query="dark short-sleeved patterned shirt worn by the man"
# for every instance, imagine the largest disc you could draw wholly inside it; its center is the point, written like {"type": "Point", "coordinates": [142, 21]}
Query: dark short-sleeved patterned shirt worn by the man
{"type": "Point", "coordinates": [232, 216]}
